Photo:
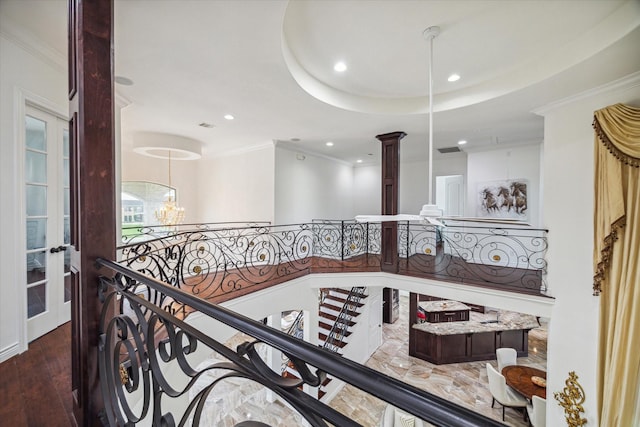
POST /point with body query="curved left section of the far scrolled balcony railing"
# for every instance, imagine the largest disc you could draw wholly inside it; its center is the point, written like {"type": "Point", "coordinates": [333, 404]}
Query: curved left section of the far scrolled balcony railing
{"type": "Point", "coordinates": [212, 263]}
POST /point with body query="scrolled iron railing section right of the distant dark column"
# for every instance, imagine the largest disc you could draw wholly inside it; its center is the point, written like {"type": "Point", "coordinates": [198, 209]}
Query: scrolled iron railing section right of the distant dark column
{"type": "Point", "coordinates": [511, 258]}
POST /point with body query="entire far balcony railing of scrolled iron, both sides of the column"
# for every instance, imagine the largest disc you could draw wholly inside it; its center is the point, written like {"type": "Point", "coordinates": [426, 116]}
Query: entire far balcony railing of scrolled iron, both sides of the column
{"type": "Point", "coordinates": [215, 263]}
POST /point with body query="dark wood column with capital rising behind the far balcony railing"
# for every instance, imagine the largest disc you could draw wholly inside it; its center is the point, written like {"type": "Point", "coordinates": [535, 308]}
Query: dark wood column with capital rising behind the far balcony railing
{"type": "Point", "coordinates": [390, 182]}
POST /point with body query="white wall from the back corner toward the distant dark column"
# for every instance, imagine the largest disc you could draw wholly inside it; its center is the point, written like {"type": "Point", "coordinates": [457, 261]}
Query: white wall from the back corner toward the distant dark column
{"type": "Point", "coordinates": [312, 188]}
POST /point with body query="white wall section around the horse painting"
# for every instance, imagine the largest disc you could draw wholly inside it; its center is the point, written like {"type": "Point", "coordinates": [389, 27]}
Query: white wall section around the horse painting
{"type": "Point", "coordinates": [502, 164]}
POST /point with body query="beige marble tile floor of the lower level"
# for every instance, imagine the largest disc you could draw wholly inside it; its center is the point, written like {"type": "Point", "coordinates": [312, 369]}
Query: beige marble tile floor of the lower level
{"type": "Point", "coordinates": [237, 399]}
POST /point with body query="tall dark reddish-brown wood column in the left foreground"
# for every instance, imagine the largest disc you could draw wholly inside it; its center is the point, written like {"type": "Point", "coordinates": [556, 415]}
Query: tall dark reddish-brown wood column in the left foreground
{"type": "Point", "coordinates": [93, 231]}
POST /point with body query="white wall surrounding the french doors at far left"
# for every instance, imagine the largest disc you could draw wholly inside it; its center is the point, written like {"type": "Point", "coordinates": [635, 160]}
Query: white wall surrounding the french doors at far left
{"type": "Point", "coordinates": [42, 79]}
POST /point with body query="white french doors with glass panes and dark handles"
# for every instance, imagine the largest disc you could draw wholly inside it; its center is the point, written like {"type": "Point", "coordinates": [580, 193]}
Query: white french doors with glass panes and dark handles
{"type": "Point", "coordinates": [47, 208]}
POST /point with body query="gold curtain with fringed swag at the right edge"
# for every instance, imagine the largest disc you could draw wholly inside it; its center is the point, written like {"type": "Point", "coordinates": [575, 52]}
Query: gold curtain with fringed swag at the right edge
{"type": "Point", "coordinates": [617, 260]}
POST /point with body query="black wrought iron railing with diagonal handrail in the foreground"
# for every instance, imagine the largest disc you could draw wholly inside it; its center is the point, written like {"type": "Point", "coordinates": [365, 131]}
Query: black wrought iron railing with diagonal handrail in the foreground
{"type": "Point", "coordinates": [140, 342]}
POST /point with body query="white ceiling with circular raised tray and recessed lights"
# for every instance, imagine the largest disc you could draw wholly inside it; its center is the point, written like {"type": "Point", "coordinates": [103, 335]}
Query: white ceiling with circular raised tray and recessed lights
{"type": "Point", "coordinates": [270, 64]}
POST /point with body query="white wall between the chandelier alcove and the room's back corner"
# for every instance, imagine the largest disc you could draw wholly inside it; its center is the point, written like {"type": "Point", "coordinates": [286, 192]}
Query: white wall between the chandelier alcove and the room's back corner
{"type": "Point", "coordinates": [237, 187]}
